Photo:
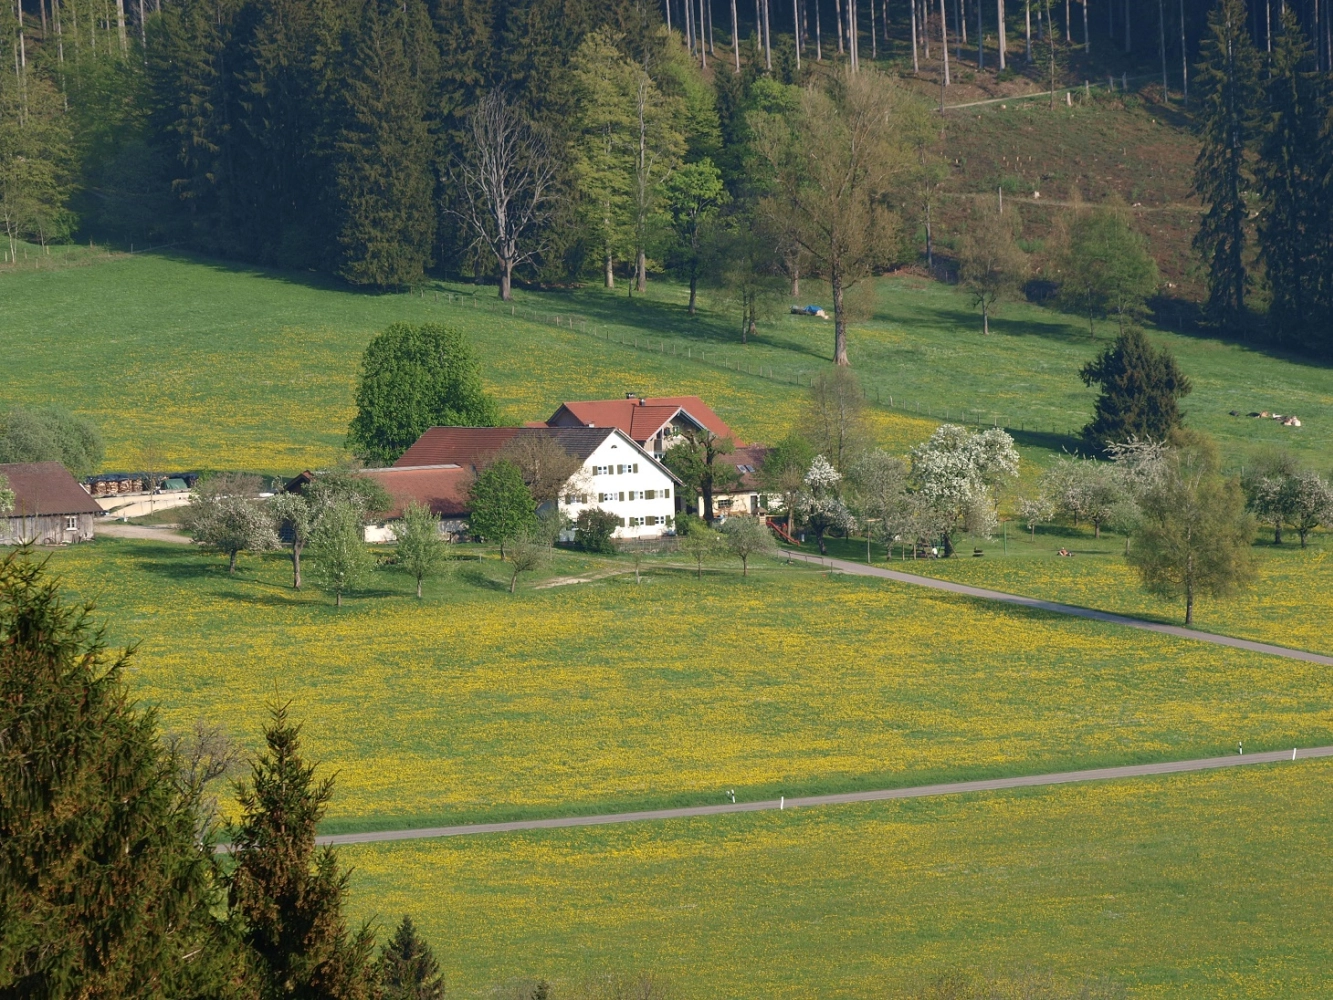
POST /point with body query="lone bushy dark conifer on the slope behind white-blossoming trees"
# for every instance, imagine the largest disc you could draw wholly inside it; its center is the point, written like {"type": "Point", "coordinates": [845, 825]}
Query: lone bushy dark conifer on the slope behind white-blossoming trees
{"type": "Point", "coordinates": [1142, 389]}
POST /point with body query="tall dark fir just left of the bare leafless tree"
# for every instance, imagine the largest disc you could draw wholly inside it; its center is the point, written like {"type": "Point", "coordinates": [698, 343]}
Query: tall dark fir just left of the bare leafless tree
{"type": "Point", "coordinates": [385, 150]}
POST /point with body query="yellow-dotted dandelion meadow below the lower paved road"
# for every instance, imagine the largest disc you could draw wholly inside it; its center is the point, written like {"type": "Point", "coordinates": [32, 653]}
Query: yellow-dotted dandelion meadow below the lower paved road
{"type": "Point", "coordinates": [1198, 886]}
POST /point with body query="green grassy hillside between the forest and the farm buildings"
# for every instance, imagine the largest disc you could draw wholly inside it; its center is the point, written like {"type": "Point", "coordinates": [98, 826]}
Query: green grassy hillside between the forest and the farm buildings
{"type": "Point", "coordinates": [234, 367]}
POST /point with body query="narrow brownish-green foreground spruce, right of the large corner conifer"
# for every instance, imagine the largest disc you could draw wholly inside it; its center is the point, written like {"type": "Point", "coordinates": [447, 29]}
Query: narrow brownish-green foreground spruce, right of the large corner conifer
{"type": "Point", "coordinates": [287, 894]}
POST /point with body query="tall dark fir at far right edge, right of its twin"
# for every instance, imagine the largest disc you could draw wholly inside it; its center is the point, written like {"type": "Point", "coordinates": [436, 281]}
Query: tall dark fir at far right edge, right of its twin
{"type": "Point", "coordinates": [1294, 226]}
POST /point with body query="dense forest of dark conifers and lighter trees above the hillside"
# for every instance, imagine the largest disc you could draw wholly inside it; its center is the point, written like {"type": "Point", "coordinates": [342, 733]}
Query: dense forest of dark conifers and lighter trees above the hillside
{"type": "Point", "coordinates": [567, 141]}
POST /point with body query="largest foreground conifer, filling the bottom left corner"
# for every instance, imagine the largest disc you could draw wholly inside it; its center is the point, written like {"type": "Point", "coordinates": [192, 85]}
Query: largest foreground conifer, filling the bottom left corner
{"type": "Point", "coordinates": [106, 890]}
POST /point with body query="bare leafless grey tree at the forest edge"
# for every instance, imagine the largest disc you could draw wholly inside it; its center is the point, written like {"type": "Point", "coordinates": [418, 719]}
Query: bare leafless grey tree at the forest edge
{"type": "Point", "coordinates": [506, 181]}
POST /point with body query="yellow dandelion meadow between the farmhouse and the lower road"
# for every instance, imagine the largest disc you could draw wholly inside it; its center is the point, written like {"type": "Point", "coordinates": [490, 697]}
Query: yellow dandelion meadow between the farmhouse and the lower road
{"type": "Point", "coordinates": [607, 695]}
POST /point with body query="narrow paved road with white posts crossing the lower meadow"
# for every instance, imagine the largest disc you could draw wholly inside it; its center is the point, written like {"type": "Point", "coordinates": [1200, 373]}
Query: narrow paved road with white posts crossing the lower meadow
{"type": "Point", "coordinates": [1168, 767]}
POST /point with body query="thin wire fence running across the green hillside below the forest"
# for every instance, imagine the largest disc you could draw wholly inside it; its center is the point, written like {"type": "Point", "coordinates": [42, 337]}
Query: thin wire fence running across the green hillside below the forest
{"type": "Point", "coordinates": [714, 355]}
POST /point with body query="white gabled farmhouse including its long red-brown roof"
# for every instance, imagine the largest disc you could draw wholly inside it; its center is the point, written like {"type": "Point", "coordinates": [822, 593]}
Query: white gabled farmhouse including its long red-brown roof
{"type": "Point", "coordinates": [618, 474]}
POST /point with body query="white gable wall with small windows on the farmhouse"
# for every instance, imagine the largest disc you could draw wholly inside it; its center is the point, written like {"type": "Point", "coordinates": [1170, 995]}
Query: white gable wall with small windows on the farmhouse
{"type": "Point", "coordinates": [619, 478]}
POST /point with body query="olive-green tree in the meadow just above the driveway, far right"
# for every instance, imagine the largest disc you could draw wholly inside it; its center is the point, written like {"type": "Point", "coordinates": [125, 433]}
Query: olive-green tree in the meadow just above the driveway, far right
{"type": "Point", "coordinates": [1195, 535]}
